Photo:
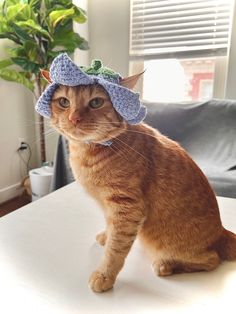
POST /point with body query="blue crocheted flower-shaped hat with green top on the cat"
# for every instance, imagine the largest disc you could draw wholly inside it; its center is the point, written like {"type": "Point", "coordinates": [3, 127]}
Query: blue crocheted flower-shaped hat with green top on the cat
{"type": "Point", "coordinates": [64, 72]}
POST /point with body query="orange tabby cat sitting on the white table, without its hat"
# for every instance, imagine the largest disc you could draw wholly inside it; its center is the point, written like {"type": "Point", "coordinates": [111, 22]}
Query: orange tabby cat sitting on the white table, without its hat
{"type": "Point", "coordinates": [146, 184]}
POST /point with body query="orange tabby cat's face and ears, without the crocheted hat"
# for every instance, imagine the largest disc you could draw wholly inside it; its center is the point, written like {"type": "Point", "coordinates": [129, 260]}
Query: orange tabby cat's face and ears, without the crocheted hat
{"type": "Point", "coordinates": [85, 112]}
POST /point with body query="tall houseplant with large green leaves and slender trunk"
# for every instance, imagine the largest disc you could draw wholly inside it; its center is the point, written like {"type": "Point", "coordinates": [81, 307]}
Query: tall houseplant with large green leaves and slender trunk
{"type": "Point", "coordinates": [40, 30]}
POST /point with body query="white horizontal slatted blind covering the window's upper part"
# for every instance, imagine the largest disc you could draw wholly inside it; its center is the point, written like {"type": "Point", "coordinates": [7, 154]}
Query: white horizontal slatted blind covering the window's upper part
{"type": "Point", "coordinates": [162, 27]}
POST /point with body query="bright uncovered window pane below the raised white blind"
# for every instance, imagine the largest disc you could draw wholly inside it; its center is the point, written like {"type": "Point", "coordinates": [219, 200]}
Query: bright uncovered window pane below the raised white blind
{"type": "Point", "coordinates": [178, 79]}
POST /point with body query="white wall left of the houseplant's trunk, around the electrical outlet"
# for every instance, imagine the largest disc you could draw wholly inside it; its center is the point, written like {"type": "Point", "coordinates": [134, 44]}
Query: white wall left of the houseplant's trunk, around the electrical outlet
{"type": "Point", "coordinates": [16, 121]}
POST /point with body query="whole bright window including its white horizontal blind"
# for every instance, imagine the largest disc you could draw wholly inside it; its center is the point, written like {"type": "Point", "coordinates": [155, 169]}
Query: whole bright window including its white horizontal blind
{"type": "Point", "coordinates": [182, 45]}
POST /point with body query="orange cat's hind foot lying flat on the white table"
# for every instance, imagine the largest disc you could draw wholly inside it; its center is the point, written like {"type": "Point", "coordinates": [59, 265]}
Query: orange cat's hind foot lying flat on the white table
{"type": "Point", "coordinates": [206, 261]}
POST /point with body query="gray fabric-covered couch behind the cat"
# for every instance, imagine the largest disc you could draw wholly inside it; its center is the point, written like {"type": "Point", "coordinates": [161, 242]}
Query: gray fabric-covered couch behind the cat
{"type": "Point", "coordinates": [207, 130]}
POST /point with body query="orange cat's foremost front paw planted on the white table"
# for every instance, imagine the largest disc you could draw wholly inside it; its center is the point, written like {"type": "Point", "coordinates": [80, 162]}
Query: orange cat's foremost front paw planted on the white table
{"type": "Point", "coordinates": [100, 282]}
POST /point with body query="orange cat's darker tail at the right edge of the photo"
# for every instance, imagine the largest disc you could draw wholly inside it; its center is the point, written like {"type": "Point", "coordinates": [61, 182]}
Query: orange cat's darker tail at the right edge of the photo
{"type": "Point", "coordinates": [226, 246]}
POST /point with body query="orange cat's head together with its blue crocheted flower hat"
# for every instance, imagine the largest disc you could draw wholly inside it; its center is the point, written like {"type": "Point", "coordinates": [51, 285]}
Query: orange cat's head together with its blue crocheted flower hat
{"type": "Point", "coordinates": [89, 104]}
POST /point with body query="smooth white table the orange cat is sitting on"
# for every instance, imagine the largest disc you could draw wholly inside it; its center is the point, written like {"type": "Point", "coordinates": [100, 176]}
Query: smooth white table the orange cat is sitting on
{"type": "Point", "coordinates": [48, 250]}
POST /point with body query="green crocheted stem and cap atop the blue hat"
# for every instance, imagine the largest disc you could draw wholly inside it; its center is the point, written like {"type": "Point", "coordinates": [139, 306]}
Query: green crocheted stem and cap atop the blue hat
{"type": "Point", "coordinates": [98, 68]}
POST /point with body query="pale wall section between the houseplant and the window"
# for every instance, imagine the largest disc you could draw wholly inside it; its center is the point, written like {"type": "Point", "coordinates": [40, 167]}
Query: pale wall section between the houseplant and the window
{"type": "Point", "coordinates": [109, 33]}
